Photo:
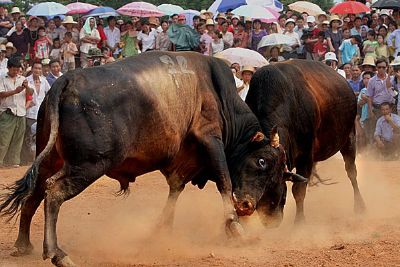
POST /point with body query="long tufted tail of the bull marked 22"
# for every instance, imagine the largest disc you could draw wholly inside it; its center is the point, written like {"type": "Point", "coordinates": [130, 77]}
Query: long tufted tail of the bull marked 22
{"type": "Point", "coordinates": [16, 195]}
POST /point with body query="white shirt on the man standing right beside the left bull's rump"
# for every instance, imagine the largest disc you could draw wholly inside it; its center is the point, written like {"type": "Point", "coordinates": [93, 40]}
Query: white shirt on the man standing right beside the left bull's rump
{"type": "Point", "coordinates": [37, 96]}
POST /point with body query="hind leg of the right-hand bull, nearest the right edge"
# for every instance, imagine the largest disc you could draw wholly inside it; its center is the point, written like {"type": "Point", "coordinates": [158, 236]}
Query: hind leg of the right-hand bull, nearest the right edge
{"type": "Point", "coordinates": [349, 156]}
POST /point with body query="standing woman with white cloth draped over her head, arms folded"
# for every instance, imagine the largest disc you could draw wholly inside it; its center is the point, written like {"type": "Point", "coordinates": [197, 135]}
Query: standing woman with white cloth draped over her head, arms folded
{"type": "Point", "coordinates": [89, 37]}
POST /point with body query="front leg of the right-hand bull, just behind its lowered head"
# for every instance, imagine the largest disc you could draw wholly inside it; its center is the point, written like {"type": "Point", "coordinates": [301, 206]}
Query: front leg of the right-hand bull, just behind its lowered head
{"type": "Point", "coordinates": [299, 189]}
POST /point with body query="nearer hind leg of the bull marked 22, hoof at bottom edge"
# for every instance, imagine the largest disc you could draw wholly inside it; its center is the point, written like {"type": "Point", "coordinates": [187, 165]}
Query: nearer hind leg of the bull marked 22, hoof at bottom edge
{"type": "Point", "coordinates": [76, 179]}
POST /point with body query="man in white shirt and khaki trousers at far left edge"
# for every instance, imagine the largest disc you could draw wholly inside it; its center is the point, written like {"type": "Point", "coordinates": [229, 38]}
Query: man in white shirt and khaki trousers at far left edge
{"type": "Point", "coordinates": [14, 90]}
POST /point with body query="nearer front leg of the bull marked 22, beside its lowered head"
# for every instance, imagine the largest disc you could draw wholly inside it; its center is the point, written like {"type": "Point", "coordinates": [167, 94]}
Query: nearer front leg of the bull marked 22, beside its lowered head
{"type": "Point", "coordinates": [215, 151]}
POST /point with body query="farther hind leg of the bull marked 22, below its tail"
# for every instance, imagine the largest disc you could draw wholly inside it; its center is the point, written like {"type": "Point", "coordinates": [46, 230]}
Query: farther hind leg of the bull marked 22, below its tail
{"type": "Point", "coordinates": [28, 209]}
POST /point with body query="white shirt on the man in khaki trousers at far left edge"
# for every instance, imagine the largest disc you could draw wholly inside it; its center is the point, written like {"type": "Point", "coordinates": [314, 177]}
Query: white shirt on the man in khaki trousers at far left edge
{"type": "Point", "coordinates": [16, 103]}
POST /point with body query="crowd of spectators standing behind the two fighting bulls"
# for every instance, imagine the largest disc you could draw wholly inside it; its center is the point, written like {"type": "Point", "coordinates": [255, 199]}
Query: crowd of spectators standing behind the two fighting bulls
{"type": "Point", "coordinates": [35, 51]}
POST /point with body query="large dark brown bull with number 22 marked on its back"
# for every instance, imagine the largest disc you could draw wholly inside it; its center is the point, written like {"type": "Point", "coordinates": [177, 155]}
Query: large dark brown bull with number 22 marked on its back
{"type": "Point", "coordinates": [174, 112]}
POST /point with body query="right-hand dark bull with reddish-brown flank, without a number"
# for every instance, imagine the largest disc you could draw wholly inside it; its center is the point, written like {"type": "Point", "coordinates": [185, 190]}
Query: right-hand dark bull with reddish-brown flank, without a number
{"type": "Point", "coordinates": [314, 110]}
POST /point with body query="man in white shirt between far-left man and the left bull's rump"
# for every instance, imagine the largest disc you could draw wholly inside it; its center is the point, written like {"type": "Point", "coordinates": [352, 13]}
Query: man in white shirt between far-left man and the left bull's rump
{"type": "Point", "coordinates": [40, 88]}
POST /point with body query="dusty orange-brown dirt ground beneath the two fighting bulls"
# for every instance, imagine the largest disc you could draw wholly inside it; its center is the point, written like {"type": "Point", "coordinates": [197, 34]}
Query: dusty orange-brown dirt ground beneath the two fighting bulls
{"type": "Point", "coordinates": [99, 229]}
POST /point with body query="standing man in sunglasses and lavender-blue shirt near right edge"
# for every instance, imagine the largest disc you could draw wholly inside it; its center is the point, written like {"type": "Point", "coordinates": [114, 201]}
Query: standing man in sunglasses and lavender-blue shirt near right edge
{"type": "Point", "coordinates": [378, 91]}
